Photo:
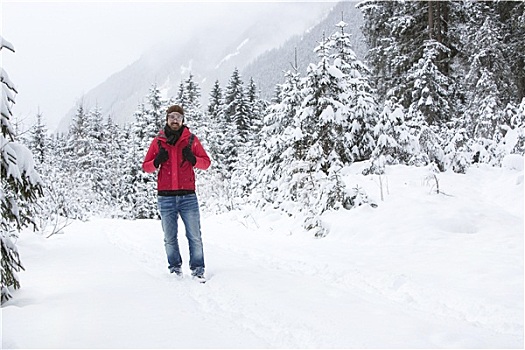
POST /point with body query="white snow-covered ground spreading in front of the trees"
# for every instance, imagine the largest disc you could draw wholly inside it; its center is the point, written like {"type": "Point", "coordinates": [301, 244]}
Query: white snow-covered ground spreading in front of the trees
{"type": "Point", "coordinates": [422, 270]}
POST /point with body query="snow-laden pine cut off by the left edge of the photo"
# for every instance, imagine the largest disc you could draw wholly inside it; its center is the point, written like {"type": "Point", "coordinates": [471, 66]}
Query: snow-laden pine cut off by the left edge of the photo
{"type": "Point", "coordinates": [21, 186]}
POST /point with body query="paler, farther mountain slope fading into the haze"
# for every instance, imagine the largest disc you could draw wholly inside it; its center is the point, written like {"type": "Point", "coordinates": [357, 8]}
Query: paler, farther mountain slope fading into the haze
{"type": "Point", "coordinates": [212, 53]}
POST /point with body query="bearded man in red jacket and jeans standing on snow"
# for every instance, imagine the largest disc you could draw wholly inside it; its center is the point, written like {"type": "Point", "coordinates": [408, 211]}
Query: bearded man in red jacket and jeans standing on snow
{"type": "Point", "coordinates": [175, 152]}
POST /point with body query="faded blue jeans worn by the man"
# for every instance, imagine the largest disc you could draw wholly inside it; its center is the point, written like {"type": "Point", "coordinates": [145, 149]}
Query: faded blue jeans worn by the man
{"type": "Point", "coordinates": [188, 207]}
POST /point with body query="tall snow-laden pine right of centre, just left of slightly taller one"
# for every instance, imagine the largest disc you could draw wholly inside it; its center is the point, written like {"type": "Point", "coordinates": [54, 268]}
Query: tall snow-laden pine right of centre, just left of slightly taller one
{"type": "Point", "coordinates": [320, 142]}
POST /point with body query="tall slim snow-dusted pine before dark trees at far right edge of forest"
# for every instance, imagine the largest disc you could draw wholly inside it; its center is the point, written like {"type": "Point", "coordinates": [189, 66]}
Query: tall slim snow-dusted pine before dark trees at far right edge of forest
{"type": "Point", "coordinates": [489, 83]}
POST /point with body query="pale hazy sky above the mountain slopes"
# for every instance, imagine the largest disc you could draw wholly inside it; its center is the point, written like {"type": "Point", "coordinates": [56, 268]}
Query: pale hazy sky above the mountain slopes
{"type": "Point", "coordinates": [55, 41]}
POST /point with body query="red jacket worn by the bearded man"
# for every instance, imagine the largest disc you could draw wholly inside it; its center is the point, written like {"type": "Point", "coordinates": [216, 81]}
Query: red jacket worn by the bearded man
{"type": "Point", "coordinates": [176, 173]}
